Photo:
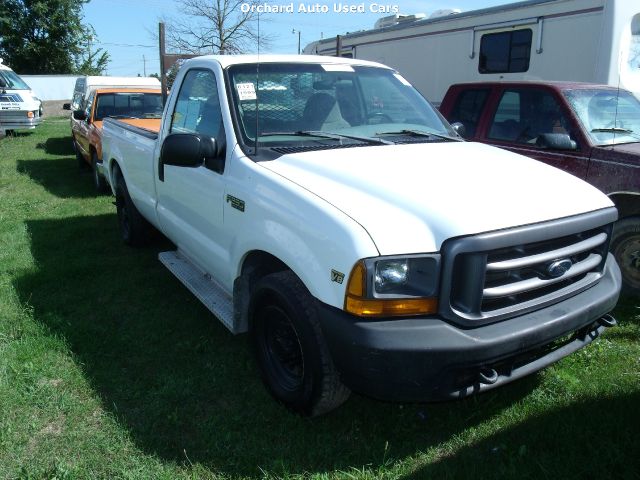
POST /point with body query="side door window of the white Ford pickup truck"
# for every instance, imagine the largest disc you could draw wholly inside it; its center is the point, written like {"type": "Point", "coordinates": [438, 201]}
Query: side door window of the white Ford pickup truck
{"type": "Point", "coordinates": [197, 108]}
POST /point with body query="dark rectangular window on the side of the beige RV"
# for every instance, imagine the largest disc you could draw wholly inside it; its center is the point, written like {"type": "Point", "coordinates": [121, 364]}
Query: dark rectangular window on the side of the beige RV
{"type": "Point", "coordinates": [505, 52]}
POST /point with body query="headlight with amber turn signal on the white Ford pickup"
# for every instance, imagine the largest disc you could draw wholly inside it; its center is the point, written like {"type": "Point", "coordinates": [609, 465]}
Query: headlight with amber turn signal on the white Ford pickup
{"type": "Point", "coordinates": [394, 286]}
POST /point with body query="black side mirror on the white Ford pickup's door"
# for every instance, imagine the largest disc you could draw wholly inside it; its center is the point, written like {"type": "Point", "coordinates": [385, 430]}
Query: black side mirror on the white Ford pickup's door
{"type": "Point", "coordinates": [189, 150]}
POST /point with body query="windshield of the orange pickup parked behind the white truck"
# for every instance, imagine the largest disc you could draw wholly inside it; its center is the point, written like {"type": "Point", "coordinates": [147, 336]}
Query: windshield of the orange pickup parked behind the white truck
{"type": "Point", "coordinates": [128, 105]}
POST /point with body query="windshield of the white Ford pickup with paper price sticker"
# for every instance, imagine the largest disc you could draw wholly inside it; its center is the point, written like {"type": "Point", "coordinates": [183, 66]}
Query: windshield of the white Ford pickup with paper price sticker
{"type": "Point", "coordinates": [310, 103]}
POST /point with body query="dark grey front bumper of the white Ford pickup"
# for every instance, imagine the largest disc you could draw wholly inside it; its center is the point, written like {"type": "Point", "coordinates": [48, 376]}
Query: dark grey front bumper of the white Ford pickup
{"type": "Point", "coordinates": [421, 359]}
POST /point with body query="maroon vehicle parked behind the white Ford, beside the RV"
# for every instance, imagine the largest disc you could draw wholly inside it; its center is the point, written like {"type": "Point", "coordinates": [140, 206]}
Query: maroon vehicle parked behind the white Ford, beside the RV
{"type": "Point", "coordinates": [591, 131]}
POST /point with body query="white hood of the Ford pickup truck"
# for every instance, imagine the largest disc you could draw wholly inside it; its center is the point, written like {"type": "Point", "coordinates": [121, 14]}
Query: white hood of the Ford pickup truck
{"type": "Point", "coordinates": [410, 198]}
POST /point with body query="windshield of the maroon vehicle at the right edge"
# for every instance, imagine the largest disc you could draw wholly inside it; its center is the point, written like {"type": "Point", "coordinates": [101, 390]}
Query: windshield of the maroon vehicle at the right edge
{"type": "Point", "coordinates": [609, 116]}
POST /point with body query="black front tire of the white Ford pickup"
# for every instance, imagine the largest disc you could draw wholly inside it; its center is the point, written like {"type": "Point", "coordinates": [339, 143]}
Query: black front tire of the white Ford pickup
{"type": "Point", "coordinates": [289, 346]}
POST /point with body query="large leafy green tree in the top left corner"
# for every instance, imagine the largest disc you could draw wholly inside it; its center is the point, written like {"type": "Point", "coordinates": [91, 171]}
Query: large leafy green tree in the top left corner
{"type": "Point", "coordinates": [48, 37]}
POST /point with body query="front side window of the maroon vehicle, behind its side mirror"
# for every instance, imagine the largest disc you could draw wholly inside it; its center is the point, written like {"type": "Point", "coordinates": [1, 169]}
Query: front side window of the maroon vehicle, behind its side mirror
{"type": "Point", "coordinates": [523, 115]}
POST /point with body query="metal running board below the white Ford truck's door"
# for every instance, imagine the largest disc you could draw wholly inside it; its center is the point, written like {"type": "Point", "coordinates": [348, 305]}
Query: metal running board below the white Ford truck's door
{"type": "Point", "coordinates": [202, 286]}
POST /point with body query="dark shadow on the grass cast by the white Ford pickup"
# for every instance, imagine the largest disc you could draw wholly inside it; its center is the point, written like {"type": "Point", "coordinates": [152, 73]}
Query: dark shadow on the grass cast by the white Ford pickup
{"type": "Point", "coordinates": [186, 389]}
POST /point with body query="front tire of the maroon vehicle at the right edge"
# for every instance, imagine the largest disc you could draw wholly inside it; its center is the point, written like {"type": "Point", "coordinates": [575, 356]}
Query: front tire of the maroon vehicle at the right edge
{"type": "Point", "coordinates": [625, 246]}
